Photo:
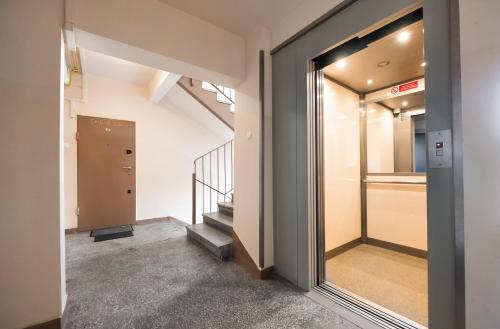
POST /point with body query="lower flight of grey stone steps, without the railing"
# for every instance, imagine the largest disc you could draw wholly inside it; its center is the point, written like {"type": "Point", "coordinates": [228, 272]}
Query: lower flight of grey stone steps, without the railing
{"type": "Point", "coordinates": [215, 232]}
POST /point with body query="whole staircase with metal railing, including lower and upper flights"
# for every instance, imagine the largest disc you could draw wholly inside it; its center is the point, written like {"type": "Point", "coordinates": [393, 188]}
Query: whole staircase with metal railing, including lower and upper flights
{"type": "Point", "coordinates": [212, 178]}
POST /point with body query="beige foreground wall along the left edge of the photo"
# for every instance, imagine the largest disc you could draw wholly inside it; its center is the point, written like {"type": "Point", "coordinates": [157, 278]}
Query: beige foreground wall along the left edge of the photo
{"type": "Point", "coordinates": [32, 287]}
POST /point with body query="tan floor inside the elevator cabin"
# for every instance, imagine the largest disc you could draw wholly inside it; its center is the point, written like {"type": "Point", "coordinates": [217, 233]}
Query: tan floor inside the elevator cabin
{"type": "Point", "coordinates": [390, 279]}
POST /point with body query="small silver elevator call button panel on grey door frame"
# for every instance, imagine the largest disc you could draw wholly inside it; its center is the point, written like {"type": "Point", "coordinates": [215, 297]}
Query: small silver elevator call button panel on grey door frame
{"type": "Point", "coordinates": [440, 149]}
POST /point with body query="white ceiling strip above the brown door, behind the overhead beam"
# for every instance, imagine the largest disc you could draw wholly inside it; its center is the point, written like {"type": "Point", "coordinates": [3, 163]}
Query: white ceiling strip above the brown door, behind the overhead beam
{"type": "Point", "coordinates": [115, 68]}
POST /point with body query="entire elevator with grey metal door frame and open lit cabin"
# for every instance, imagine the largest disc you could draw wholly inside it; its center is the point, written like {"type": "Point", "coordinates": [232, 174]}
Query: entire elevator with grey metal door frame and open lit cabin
{"type": "Point", "coordinates": [422, 163]}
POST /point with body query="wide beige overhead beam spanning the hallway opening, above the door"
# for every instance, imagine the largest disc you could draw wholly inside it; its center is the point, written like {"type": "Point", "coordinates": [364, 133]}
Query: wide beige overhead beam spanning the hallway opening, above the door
{"type": "Point", "coordinates": [160, 36]}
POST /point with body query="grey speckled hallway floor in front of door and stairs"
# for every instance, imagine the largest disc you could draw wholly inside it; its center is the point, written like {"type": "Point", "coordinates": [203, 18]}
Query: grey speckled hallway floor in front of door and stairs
{"type": "Point", "coordinates": [159, 279]}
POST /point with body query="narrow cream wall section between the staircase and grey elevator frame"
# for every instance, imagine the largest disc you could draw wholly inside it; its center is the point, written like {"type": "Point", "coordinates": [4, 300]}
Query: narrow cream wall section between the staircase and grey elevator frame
{"type": "Point", "coordinates": [247, 140]}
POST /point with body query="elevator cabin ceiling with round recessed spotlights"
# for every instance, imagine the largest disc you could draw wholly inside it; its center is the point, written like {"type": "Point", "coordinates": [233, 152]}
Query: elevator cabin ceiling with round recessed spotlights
{"type": "Point", "coordinates": [405, 59]}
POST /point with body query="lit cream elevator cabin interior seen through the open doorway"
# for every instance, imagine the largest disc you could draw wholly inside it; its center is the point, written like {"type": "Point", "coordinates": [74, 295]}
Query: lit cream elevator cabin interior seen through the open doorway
{"type": "Point", "coordinates": [373, 175]}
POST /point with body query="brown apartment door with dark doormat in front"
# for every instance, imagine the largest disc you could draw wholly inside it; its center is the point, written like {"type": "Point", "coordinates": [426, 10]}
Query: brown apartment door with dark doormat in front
{"type": "Point", "coordinates": [106, 173]}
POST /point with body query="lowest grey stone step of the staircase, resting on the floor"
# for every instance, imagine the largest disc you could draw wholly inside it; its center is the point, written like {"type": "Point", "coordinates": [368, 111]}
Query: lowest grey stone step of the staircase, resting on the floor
{"type": "Point", "coordinates": [217, 242]}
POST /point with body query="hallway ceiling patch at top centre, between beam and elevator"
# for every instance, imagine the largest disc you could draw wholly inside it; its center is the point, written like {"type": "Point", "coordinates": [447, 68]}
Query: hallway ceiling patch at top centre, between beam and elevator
{"type": "Point", "coordinates": [237, 16]}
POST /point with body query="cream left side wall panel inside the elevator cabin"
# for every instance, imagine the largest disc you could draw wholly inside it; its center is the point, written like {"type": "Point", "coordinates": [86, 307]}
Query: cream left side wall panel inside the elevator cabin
{"type": "Point", "coordinates": [341, 129]}
